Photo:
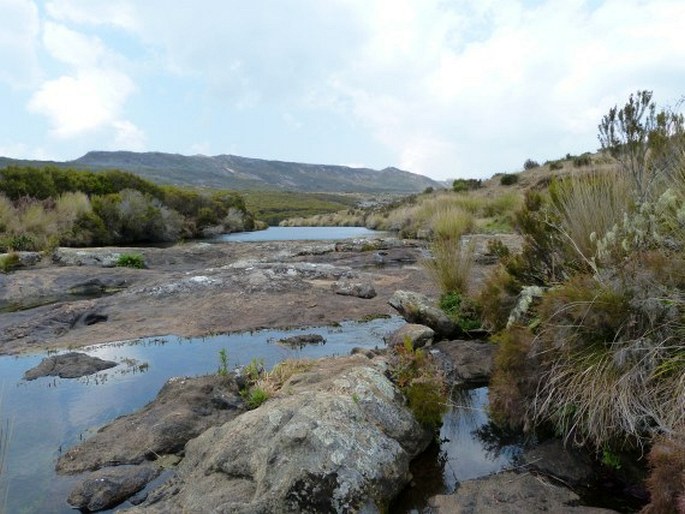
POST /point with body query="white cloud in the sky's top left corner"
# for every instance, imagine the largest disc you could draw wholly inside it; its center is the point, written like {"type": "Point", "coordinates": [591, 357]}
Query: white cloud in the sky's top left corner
{"type": "Point", "coordinates": [18, 40]}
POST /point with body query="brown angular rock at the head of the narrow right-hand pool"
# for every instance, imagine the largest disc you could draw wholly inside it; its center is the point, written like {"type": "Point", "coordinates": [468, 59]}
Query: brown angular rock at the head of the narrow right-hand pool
{"type": "Point", "coordinates": [466, 362]}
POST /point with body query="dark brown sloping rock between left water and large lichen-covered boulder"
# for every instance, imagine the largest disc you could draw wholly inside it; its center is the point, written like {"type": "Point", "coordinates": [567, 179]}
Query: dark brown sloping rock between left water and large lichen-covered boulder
{"type": "Point", "coordinates": [184, 408]}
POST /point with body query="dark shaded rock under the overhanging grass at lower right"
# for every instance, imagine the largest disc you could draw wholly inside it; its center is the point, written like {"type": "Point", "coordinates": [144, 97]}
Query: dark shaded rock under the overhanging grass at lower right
{"type": "Point", "coordinates": [553, 459]}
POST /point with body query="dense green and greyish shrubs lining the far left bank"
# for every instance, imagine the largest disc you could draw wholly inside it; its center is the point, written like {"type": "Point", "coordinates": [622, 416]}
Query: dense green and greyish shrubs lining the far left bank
{"type": "Point", "coordinates": [41, 208]}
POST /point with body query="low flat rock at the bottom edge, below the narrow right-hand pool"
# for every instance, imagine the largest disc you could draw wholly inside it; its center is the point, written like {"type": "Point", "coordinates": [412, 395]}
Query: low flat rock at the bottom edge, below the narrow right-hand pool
{"type": "Point", "coordinates": [511, 493]}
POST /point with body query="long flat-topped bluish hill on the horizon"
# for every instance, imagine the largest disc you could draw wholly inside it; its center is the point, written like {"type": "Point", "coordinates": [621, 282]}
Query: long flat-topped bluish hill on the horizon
{"type": "Point", "coordinates": [234, 172]}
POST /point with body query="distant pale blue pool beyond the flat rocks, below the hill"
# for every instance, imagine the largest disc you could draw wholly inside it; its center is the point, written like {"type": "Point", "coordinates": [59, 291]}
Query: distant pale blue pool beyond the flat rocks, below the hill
{"type": "Point", "coordinates": [301, 233]}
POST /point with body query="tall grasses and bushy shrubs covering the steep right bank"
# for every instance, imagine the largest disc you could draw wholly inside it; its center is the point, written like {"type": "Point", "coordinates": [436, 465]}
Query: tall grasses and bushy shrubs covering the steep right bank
{"type": "Point", "coordinates": [596, 352]}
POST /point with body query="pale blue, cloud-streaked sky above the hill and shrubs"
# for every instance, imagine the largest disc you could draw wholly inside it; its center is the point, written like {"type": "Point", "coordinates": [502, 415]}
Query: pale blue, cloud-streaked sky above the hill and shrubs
{"type": "Point", "coordinates": [445, 88]}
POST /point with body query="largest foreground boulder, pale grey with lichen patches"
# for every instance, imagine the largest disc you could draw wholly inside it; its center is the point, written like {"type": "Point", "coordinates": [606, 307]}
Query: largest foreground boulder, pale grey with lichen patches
{"type": "Point", "coordinates": [337, 439]}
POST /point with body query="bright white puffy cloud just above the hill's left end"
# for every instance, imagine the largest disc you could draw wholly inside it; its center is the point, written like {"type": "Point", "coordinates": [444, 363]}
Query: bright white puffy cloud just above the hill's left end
{"type": "Point", "coordinates": [84, 102]}
